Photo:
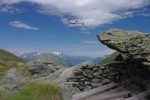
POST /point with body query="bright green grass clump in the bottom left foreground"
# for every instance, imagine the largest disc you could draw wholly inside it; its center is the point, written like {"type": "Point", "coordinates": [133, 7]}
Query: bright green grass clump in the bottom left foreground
{"type": "Point", "coordinates": [35, 91]}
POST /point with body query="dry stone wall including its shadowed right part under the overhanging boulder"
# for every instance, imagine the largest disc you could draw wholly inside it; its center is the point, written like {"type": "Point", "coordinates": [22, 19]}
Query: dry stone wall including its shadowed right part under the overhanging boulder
{"type": "Point", "coordinates": [123, 72]}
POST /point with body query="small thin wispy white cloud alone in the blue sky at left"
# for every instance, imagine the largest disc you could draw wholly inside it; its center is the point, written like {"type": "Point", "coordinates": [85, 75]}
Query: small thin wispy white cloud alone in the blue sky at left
{"type": "Point", "coordinates": [19, 24]}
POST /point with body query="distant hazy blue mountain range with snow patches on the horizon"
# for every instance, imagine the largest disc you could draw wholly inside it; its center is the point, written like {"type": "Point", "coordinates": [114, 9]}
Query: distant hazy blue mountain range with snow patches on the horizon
{"type": "Point", "coordinates": [57, 57]}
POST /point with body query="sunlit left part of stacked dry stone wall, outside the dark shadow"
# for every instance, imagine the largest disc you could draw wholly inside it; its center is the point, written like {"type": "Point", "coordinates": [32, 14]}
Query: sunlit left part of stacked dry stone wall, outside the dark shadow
{"type": "Point", "coordinates": [91, 76]}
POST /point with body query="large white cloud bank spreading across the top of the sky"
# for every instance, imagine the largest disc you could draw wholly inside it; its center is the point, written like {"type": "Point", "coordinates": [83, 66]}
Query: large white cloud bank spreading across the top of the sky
{"type": "Point", "coordinates": [92, 12]}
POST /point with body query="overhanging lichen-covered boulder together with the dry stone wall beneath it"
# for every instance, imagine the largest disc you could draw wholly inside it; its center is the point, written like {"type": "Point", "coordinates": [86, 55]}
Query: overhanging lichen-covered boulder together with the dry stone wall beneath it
{"type": "Point", "coordinates": [130, 67]}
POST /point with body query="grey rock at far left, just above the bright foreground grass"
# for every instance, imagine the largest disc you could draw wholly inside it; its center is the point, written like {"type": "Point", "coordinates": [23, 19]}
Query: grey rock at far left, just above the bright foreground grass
{"type": "Point", "coordinates": [14, 80]}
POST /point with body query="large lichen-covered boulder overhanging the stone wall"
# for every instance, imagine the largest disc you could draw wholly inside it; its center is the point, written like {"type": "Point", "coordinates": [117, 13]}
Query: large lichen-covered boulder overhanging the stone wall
{"type": "Point", "coordinates": [135, 45]}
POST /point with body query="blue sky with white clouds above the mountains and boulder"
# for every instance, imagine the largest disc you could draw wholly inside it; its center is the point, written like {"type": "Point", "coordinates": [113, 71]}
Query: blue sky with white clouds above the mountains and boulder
{"type": "Point", "coordinates": [43, 25]}
